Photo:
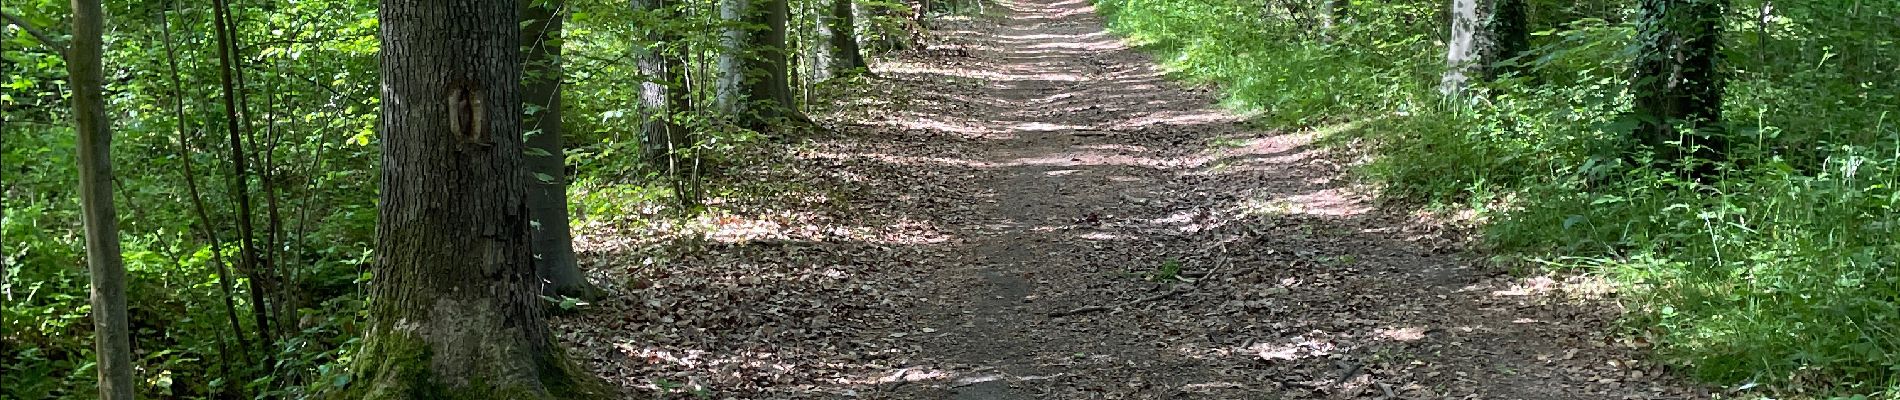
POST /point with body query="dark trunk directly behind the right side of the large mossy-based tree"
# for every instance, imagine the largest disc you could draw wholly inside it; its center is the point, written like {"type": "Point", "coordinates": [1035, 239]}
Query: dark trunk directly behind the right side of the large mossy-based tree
{"type": "Point", "coordinates": [548, 172]}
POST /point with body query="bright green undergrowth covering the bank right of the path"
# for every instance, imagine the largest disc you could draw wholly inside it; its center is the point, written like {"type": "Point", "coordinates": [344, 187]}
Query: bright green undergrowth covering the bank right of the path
{"type": "Point", "coordinates": [1777, 272]}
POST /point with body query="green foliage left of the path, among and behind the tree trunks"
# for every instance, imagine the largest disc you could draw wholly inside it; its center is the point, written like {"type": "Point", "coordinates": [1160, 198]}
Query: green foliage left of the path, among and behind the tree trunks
{"type": "Point", "coordinates": [311, 101]}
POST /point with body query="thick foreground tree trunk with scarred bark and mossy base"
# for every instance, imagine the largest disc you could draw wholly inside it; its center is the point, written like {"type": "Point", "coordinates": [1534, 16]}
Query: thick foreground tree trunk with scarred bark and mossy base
{"type": "Point", "coordinates": [455, 302]}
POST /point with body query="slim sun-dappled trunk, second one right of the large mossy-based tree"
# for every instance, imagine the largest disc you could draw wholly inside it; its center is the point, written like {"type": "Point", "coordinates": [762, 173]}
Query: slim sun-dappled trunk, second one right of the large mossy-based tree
{"type": "Point", "coordinates": [664, 92]}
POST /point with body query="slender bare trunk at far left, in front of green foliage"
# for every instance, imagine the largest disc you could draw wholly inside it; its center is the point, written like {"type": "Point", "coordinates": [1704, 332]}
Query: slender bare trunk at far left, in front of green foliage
{"type": "Point", "coordinates": [113, 340]}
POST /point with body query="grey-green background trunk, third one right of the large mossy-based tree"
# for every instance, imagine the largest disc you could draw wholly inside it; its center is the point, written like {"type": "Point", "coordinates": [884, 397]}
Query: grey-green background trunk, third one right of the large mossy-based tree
{"type": "Point", "coordinates": [755, 79]}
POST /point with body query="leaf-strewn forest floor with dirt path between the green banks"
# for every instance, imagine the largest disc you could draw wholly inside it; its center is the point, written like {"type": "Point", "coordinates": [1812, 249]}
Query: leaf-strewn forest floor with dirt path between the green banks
{"type": "Point", "coordinates": [1031, 209]}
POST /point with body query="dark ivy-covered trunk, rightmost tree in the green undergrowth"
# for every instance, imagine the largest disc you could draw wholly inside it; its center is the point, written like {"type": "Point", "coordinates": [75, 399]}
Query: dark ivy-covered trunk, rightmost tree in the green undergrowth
{"type": "Point", "coordinates": [1677, 81]}
